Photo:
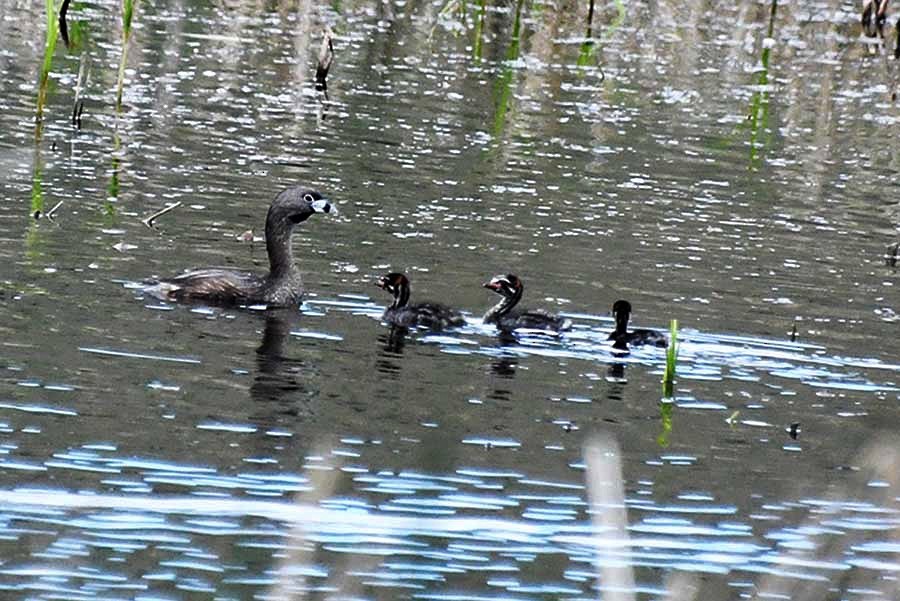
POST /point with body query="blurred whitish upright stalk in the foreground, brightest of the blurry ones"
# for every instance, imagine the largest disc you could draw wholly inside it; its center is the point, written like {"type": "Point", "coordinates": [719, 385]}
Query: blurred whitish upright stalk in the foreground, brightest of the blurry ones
{"type": "Point", "coordinates": [607, 498]}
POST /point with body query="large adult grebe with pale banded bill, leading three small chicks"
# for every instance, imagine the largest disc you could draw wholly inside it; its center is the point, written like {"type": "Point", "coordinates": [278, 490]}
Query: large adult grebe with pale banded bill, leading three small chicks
{"type": "Point", "coordinates": [281, 287]}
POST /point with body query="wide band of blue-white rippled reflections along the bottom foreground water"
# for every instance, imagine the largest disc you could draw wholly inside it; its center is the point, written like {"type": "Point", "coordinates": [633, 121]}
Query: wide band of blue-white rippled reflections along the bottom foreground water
{"type": "Point", "coordinates": [434, 533]}
